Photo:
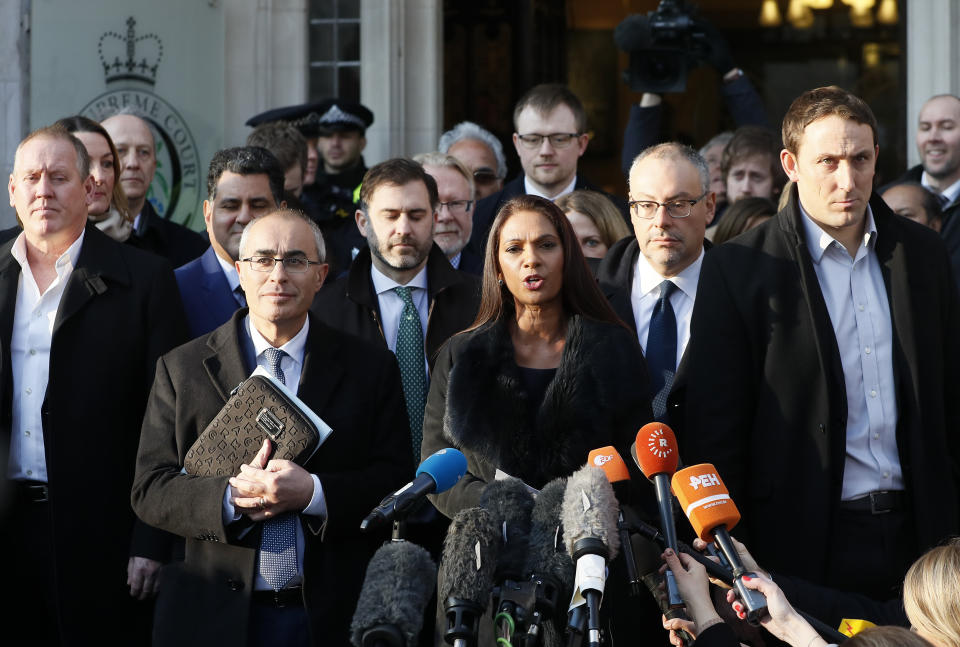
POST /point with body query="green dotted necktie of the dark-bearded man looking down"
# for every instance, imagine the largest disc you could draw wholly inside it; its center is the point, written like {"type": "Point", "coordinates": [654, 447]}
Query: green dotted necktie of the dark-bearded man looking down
{"type": "Point", "coordinates": [410, 357]}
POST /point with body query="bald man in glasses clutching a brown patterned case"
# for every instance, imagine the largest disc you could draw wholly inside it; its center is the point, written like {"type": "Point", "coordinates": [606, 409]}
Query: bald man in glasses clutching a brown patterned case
{"type": "Point", "coordinates": [218, 595]}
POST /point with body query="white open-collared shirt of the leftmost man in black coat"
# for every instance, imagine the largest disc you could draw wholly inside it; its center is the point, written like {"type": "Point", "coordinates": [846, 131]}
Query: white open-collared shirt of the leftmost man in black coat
{"type": "Point", "coordinates": [33, 320]}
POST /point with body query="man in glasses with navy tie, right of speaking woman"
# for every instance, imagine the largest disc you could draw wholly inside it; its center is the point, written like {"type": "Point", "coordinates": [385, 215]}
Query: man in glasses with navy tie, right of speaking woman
{"type": "Point", "coordinates": [651, 280]}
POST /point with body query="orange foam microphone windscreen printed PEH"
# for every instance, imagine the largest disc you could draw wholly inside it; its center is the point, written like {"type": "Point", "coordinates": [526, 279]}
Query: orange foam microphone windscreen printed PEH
{"type": "Point", "coordinates": [705, 499]}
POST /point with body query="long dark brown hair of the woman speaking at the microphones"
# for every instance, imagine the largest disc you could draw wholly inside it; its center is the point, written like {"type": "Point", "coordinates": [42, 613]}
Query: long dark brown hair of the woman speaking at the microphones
{"type": "Point", "coordinates": [580, 292]}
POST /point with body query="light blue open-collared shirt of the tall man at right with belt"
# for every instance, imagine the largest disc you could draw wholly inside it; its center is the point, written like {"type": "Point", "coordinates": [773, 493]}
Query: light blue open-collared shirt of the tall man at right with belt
{"type": "Point", "coordinates": [859, 311]}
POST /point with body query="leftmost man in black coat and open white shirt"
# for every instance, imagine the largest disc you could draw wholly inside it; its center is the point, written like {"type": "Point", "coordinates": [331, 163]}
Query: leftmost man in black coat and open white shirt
{"type": "Point", "coordinates": [82, 322]}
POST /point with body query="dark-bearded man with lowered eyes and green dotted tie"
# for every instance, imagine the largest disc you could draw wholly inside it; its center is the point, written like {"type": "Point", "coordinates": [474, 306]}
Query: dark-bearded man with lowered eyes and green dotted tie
{"type": "Point", "coordinates": [401, 291]}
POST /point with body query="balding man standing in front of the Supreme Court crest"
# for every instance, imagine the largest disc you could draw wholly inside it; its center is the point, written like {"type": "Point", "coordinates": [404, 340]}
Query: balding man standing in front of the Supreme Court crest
{"type": "Point", "coordinates": [138, 158]}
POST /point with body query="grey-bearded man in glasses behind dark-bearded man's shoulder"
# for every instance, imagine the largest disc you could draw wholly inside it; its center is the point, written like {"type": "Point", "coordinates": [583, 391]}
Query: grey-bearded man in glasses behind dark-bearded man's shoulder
{"type": "Point", "coordinates": [454, 220]}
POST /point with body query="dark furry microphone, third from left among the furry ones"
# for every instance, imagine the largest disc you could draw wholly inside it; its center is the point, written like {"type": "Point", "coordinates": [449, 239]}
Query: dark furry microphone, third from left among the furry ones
{"type": "Point", "coordinates": [510, 503]}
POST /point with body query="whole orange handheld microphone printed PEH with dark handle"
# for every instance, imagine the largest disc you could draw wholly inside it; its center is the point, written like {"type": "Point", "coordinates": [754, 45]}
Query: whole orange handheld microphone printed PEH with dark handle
{"type": "Point", "coordinates": [712, 513]}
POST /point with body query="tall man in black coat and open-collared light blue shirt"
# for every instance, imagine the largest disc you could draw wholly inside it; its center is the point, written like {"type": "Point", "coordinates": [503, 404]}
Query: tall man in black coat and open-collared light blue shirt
{"type": "Point", "coordinates": [823, 378]}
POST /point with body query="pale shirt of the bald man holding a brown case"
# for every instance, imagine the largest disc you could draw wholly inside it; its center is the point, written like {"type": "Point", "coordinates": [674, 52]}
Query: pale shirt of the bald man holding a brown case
{"type": "Point", "coordinates": [291, 365]}
